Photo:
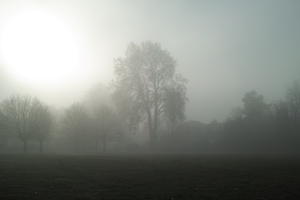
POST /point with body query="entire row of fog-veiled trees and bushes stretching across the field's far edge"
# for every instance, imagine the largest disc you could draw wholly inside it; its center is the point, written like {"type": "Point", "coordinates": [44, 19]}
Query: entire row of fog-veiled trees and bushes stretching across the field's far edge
{"type": "Point", "coordinates": [147, 98]}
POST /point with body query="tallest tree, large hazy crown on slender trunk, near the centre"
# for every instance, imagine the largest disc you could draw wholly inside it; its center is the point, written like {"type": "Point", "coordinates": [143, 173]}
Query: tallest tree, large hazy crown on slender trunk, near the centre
{"type": "Point", "coordinates": [144, 74]}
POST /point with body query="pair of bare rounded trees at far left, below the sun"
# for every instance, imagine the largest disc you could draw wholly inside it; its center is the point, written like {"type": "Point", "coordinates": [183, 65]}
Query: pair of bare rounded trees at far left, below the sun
{"type": "Point", "coordinates": [27, 118]}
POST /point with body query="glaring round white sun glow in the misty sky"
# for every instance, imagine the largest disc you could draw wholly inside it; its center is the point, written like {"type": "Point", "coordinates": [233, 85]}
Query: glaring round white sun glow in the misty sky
{"type": "Point", "coordinates": [38, 48]}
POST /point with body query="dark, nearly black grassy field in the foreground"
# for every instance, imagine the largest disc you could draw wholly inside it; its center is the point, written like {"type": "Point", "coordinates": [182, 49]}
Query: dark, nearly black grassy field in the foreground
{"type": "Point", "coordinates": [149, 177]}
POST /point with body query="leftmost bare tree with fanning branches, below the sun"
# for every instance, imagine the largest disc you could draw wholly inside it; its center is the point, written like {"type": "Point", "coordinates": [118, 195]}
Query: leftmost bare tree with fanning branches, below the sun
{"type": "Point", "coordinates": [17, 111]}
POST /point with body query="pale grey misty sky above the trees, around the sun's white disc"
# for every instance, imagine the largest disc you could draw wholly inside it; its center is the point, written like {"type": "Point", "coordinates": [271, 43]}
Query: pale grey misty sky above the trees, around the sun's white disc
{"type": "Point", "coordinates": [224, 48]}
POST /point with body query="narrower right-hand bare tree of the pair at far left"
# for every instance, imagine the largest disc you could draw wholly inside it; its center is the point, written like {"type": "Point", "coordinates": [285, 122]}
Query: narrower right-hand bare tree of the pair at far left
{"type": "Point", "coordinates": [41, 122]}
